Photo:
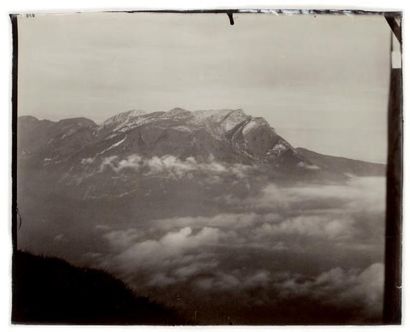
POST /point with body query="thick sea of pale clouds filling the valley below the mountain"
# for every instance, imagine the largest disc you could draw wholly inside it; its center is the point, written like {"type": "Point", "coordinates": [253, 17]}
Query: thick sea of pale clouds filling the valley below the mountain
{"type": "Point", "coordinates": [320, 243]}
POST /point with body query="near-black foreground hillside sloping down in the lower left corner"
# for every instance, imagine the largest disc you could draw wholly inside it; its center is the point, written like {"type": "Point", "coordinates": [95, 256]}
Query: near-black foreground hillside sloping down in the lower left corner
{"type": "Point", "coordinates": [51, 291]}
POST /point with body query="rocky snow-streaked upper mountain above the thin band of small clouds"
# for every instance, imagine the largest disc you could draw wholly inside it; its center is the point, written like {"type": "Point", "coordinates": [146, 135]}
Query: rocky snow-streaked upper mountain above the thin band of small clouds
{"type": "Point", "coordinates": [226, 136]}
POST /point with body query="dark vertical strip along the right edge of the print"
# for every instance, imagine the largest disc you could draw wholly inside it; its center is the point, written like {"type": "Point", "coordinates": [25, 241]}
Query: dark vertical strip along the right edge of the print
{"type": "Point", "coordinates": [392, 313]}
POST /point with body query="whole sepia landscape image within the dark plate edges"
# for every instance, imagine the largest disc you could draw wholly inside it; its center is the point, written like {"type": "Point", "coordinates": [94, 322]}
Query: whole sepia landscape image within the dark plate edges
{"type": "Point", "coordinates": [175, 168]}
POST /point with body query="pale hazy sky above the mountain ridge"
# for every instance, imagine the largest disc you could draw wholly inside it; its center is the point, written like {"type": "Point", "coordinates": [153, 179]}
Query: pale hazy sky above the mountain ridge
{"type": "Point", "coordinates": [322, 82]}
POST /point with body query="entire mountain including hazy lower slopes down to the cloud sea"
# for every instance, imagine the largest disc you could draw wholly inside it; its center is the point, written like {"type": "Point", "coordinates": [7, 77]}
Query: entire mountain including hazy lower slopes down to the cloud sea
{"type": "Point", "coordinates": [135, 167]}
